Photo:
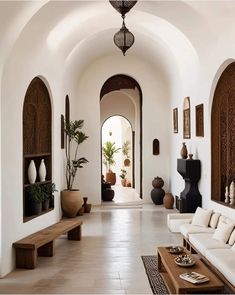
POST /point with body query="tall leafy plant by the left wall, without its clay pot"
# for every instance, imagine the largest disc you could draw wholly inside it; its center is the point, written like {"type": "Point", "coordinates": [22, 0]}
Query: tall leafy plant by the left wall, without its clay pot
{"type": "Point", "coordinates": [73, 137]}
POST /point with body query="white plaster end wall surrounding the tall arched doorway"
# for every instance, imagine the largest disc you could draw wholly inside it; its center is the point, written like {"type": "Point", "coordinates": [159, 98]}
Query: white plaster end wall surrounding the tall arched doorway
{"type": "Point", "coordinates": [156, 105]}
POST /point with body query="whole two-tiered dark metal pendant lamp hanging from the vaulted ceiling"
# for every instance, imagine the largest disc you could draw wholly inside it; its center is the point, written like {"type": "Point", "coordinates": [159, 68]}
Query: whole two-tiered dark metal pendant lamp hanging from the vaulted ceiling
{"type": "Point", "coordinates": [123, 39]}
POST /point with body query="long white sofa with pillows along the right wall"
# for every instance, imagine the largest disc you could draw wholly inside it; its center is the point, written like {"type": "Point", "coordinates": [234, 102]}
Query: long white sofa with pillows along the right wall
{"type": "Point", "coordinates": [214, 241]}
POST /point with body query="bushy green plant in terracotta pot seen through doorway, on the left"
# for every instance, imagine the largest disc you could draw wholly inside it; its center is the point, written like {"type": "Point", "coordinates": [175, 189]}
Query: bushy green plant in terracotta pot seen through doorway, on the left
{"type": "Point", "coordinates": [109, 150]}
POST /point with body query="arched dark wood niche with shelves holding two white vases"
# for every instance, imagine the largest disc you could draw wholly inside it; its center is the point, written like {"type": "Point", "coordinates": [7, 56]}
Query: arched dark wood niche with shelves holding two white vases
{"type": "Point", "coordinates": [37, 141]}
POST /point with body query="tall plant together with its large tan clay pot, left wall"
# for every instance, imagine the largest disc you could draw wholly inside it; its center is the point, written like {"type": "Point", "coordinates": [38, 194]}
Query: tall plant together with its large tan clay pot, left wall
{"type": "Point", "coordinates": [71, 199]}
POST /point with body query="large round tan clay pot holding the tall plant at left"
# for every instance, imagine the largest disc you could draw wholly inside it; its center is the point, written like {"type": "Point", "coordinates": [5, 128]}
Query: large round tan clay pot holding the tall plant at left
{"type": "Point", "coordinates": [71, 202]}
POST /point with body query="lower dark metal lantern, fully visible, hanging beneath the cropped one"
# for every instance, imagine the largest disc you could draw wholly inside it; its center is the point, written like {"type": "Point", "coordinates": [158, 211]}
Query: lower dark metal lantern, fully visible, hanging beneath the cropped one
{"type": "Point", "coordinates": [124, 39]}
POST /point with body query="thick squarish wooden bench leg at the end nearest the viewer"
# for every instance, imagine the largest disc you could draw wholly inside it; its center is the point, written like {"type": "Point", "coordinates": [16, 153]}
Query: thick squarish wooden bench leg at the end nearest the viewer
{"type": "Point", "coordinates": [26, 258]}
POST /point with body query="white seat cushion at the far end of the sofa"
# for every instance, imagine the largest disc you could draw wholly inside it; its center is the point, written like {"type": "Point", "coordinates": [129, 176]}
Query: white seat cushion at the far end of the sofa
{"type": "Point", "coordinates": [204, 241]}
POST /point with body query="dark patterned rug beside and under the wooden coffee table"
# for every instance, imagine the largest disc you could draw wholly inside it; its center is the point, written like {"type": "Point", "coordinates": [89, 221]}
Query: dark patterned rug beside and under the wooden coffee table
{"type": "Point", "coordinates": [155, 280]}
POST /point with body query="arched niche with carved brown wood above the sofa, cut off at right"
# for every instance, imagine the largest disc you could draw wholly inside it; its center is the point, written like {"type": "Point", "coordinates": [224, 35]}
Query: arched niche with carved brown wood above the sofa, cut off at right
{"type": "Point", "coordinates": [222, 136]}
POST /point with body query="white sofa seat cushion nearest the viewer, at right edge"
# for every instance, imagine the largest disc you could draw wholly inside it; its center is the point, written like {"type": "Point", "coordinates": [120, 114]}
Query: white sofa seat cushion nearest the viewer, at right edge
{"type": "Point", "coordinates": [224, 261]}
